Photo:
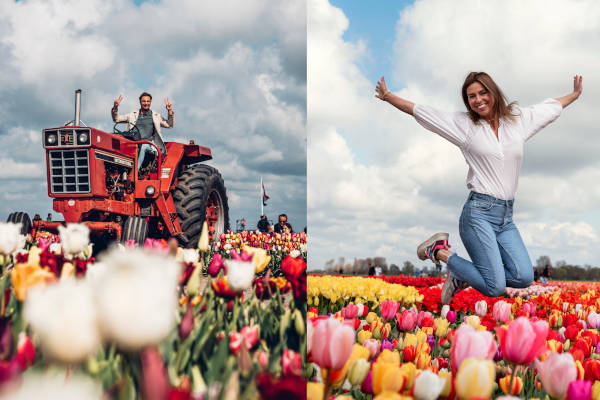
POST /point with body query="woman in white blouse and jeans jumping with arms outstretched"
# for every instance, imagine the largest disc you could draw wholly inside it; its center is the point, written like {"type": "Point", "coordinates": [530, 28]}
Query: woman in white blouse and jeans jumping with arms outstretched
{"type": "Point", "coordinates": [491, 135]}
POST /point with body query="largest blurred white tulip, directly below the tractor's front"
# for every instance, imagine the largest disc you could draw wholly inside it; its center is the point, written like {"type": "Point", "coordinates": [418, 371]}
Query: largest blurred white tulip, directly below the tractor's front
{"type": "Point", "coordinates": [135, 297]}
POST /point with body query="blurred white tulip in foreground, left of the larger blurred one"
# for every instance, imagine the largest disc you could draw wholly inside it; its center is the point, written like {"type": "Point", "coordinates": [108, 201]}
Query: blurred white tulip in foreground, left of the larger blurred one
{"type": "Point", "coordinates": [63, 317]}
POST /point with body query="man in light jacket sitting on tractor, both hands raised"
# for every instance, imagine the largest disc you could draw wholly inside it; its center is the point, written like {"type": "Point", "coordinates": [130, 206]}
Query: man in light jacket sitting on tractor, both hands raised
{"type": "Point", "coordinates": [145, 124]}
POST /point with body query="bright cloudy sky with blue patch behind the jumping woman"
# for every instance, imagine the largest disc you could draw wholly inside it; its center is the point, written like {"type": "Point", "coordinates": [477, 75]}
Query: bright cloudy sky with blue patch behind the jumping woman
{"type": "Point", "coordinates": [379, 183]}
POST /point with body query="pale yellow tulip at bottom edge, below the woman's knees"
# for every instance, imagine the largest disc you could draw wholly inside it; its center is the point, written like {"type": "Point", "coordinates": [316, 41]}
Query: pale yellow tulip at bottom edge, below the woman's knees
{"type": "Point", "coordinates": [475, 378]}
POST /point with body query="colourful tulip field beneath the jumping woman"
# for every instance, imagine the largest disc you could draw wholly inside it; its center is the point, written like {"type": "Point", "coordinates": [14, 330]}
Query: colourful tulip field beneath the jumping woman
{"type": "Point", "coordinates": [390, 338]}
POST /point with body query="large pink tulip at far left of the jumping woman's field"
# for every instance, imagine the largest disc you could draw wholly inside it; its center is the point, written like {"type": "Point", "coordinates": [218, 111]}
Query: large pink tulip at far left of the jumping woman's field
{"type": "Point", "coordinates": [332, 343]}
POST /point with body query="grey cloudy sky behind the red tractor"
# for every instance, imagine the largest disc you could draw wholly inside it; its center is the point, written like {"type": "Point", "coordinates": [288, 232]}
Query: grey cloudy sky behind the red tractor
{"type": "Point", "coordinates": [237, 81]}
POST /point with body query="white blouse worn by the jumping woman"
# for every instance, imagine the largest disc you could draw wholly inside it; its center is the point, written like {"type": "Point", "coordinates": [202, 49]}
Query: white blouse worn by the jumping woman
{"type": "Point", "coordinates": [494, 164]}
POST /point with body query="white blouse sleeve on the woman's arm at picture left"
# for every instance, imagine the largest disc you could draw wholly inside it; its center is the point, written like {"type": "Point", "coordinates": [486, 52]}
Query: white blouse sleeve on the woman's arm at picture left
{"type": "Point", "coordinates": [449, 125]}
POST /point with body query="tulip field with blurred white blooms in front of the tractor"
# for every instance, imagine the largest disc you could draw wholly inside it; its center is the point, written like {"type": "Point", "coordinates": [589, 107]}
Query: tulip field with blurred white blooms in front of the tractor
{"type": "Point", "coordinates": [224, 321]}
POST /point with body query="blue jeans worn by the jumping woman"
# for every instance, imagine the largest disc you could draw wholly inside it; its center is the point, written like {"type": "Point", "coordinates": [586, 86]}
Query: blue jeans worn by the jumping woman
{"type": "Point", "coordinates": [498, 254]}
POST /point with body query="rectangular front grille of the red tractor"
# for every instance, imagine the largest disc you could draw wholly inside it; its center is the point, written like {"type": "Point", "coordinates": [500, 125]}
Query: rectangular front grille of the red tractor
{"type": "Point", "coordinates": [69, 171]}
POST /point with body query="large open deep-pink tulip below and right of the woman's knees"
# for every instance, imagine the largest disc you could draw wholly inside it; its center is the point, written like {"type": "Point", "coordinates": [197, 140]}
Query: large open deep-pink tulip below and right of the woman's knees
{"type": "Point", "coordinates": [523, 341]}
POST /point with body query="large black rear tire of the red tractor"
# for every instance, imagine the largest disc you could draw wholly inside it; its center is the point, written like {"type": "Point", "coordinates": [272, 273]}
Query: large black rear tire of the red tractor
{"type": "Point", "coordinates": [200, 196]}
